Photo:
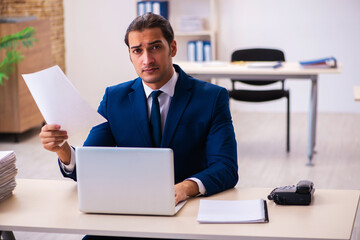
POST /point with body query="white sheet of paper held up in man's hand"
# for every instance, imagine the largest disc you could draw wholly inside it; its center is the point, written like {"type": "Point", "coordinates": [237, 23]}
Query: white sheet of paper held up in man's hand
{"type": "Point", "coordinates": [60, 102]}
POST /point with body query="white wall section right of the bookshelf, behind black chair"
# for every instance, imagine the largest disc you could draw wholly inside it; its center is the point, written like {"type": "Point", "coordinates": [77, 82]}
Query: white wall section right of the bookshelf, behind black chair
{"type": "Point", "coordinates": [303, 30]}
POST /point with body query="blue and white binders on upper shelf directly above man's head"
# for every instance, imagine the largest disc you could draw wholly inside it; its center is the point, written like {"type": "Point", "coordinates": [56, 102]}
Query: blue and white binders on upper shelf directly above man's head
{"type": "Point", "coordinates": [157, 7]}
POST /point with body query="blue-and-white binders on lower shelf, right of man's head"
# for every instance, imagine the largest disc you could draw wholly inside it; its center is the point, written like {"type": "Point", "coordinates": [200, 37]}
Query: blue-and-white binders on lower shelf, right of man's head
{"type": "Point", "coordinates": [199, 51]}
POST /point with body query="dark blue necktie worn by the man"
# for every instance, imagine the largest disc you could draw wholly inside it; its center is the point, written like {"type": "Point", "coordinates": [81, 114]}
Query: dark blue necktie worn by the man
{"type": "Point", "coordinates": [155, 119]}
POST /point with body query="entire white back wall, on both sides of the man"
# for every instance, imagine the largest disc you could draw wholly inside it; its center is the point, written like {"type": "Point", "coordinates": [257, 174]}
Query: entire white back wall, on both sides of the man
{"type": "Point", "coordinates": [96, 56]}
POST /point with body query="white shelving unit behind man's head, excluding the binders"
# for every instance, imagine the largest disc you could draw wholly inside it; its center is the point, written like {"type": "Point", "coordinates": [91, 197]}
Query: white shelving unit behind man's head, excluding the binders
{"type": "Point", "coordinates": [204, 9]}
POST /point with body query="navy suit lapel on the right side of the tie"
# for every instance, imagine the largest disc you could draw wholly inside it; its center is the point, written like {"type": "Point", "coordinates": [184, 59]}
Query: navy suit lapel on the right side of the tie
{"type": "Point", "coordinates": [179, 102]}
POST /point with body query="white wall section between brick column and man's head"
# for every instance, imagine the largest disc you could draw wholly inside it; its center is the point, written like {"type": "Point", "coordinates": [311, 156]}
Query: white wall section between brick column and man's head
{"type": "Point", "coordinates": [96, 55]}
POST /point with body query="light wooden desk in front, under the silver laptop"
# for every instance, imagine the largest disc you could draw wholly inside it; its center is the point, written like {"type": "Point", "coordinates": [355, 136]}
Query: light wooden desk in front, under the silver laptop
{"type": "Point", "coordinates": [51, 206]}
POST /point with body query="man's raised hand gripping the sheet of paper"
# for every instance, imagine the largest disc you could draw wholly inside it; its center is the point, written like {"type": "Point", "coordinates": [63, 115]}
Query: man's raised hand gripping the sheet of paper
{"type": "Point", "coordinates": [52, 139]}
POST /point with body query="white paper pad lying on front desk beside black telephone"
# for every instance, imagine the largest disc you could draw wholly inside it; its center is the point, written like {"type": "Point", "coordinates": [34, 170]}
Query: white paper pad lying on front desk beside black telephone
{"type": "Point", "coordinates": [233, 211]}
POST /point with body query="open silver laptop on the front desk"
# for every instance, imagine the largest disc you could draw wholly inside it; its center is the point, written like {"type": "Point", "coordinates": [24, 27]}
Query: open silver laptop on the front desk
{"type": "Point", "coordinates": [118, 180]}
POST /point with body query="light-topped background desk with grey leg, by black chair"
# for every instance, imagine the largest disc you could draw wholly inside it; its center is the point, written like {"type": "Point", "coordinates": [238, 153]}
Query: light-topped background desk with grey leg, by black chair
{"type": "Point", "coordinates": [206, 71]}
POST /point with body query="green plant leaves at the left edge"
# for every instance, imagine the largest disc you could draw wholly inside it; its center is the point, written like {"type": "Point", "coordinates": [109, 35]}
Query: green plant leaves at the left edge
{"type": "Point", "coordinates": [11, 43]}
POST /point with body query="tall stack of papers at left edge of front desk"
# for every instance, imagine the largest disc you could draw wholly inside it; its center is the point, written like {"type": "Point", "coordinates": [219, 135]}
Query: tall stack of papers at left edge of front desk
{"type": "Point", "coordinates": [8, 172]}
